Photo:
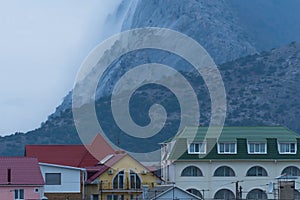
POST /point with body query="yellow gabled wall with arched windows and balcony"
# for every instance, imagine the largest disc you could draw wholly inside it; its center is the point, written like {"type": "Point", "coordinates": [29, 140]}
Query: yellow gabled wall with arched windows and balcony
{"type": "Point", "coordinates": [127, 163]}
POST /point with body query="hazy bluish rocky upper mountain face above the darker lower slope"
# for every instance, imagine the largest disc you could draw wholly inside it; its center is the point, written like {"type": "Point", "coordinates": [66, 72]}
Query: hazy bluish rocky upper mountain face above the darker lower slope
{"type": "Point", "coordinates": [226, 29]}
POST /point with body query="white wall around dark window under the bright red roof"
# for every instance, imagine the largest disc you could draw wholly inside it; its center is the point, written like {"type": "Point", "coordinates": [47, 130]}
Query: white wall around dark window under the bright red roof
{"type": "Point", "coordinates": [70, 179]}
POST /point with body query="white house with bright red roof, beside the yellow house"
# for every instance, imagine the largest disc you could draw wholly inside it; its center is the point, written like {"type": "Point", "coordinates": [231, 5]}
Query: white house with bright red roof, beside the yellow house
{"type": "Point", "coordinates": [63, 166]}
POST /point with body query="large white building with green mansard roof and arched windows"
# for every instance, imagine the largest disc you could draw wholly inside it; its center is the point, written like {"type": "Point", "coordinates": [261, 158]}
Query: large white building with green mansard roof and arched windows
{"type": "Point", "coordinates": [243, 162]}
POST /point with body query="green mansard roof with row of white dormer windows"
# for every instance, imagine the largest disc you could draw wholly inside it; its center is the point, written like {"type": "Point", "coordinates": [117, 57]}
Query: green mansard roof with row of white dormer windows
{"type": "Point", "coordinates": [241, 135]}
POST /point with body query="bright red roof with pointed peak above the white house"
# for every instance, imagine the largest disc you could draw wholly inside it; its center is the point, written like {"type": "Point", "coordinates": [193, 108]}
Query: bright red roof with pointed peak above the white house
{"type": "Point", "coordinates": [71, 155]}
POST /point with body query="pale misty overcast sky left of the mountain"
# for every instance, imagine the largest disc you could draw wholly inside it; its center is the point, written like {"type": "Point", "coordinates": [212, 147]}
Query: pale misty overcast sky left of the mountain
{"type": "Point", "coordinates": [42, 44]}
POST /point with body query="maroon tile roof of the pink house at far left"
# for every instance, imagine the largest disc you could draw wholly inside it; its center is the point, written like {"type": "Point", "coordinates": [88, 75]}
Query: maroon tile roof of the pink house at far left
{"type": "Point", "coordinates": [23, 171]}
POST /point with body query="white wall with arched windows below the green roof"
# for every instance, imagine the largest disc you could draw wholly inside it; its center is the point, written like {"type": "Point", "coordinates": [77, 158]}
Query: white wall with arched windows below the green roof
{"type": "Point", "coordinates": [213, 184]}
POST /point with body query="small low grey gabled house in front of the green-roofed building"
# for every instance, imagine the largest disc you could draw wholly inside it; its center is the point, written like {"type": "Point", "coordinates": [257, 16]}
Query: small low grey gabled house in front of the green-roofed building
{"type": "Point", "coordinates": [164, 192]}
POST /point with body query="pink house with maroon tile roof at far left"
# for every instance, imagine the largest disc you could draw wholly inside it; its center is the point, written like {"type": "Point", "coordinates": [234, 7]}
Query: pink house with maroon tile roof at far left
{"type": "Point", "coordinates": [20, 178]}
